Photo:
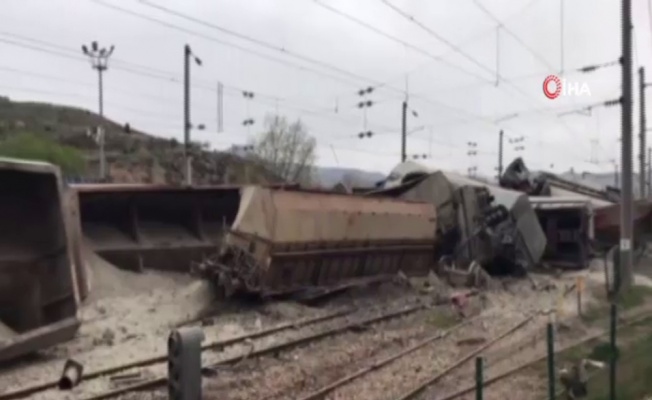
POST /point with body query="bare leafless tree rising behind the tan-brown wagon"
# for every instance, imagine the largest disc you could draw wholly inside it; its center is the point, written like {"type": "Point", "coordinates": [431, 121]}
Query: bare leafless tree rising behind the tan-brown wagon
{"type": "Point", "coordinates": [286, 149]}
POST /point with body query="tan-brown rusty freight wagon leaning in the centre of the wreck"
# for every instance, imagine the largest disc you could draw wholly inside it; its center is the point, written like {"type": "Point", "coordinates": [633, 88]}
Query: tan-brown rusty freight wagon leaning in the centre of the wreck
{"type": "Point", "coordinates": [287, 241]}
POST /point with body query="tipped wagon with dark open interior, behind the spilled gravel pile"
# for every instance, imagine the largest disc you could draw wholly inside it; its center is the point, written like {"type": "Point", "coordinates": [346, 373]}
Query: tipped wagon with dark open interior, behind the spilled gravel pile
{"type": "Point", "coordinates": [153, 226]}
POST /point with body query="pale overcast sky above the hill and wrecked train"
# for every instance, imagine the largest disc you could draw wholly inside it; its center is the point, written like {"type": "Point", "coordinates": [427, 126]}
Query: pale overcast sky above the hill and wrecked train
{"type": "Point", "coordinates": [306, 60]}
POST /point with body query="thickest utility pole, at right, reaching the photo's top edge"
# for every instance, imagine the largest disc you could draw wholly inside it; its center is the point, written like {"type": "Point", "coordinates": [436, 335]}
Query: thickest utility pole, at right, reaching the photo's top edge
{"type": "Point", "coordinates": [626, 222]}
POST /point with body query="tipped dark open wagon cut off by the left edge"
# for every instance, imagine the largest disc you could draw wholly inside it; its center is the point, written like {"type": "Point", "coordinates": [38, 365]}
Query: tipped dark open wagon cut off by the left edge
{"type": "Point", "coordinates": [38, 285]}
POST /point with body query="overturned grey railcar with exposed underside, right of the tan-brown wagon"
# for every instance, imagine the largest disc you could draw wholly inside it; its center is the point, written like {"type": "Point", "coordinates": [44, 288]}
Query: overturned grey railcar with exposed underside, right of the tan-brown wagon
{"type": "Point", "coordinates": [478, 221]}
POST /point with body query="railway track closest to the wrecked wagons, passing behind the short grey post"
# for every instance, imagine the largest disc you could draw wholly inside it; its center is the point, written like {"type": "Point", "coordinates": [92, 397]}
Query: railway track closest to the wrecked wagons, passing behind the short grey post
{"type": "Point", "coordinates": [253, 346]}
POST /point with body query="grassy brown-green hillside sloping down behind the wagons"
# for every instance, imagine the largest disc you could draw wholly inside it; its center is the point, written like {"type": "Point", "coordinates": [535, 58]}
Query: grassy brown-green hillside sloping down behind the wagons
{"type": "Point", "coordinates": [133, 156]}
